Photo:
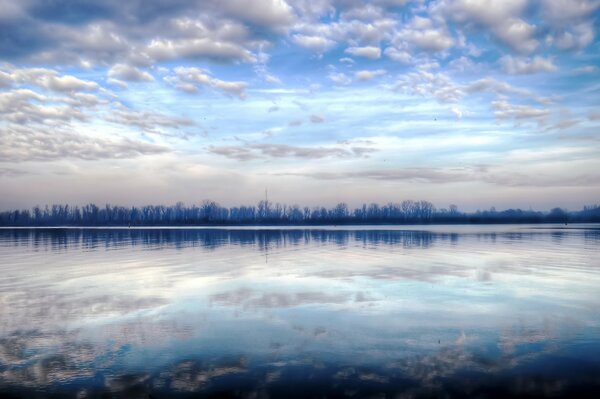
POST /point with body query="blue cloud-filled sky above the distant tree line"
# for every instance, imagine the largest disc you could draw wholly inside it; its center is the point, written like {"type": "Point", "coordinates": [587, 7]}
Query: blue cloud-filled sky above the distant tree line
{"type": "Point", "coordinates": [474, 103]}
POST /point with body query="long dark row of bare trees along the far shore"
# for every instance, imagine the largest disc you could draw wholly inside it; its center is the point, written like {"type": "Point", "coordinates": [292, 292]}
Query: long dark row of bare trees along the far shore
{"type": "Point", "coordinates": [267, 213]}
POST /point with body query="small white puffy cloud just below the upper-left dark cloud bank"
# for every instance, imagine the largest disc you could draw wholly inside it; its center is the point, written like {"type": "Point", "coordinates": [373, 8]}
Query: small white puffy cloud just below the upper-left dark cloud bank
{"type": "Point", "coordinates": [189, 79]}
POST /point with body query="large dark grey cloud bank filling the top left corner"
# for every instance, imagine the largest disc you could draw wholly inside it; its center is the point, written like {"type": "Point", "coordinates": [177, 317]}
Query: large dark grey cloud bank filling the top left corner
{"type": "Point", "coordinates": [140, 33]}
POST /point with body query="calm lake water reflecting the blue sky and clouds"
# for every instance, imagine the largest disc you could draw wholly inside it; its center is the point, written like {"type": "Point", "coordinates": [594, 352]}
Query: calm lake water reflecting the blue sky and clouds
{"type": "Point", "coordinates": [385, 312]}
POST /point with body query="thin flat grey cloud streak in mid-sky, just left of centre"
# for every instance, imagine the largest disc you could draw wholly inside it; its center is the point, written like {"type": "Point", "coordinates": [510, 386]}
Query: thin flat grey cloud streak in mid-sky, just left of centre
{"type": "Point", "coordinates": [255, 151]}
